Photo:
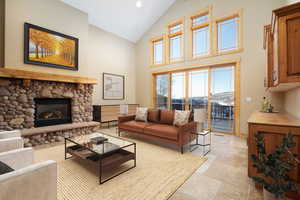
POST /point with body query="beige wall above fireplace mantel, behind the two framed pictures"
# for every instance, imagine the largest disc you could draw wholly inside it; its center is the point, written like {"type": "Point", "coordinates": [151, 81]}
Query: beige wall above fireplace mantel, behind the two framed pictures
{"type": "Point", "coordinates": [99, 51]}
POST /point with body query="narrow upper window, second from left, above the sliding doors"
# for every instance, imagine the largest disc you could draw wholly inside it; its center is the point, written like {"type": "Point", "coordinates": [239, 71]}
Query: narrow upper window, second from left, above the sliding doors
{"type": "Point", "coordinates": [175, 41]}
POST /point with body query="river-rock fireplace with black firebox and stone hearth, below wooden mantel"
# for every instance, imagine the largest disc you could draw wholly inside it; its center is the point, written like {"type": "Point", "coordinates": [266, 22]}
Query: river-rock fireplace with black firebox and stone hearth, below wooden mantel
{"type": "Point", "coordinates": [46, 110]}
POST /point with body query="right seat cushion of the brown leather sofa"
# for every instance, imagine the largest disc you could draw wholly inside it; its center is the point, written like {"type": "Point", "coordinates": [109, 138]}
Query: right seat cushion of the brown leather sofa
{"type": "Point", "coordinates": [163, 131]}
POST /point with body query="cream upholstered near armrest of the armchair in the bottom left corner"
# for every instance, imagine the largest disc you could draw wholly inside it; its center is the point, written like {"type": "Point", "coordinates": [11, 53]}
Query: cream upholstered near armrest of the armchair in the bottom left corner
{"type": "Point", "coordinates": [37, 181]}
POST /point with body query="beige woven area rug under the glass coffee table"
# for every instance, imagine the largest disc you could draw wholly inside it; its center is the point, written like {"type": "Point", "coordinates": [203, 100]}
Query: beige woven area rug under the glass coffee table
{"type": "Point", "coordinates": [159, 173]}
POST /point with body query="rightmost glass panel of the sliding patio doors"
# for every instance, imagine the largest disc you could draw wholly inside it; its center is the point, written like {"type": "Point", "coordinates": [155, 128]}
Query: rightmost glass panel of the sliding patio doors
{"type": "Point", "coordinates": [222, 99]}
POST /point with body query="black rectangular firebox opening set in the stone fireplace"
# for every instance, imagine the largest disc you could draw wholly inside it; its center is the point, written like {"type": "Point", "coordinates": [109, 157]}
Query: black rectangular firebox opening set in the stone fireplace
{"type": "Point", "coordinates": [52, 111]}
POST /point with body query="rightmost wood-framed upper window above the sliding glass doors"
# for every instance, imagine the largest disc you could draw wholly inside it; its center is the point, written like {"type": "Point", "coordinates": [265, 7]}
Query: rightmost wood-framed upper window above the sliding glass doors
{"type": "Point", "coordinates": [228, 33]}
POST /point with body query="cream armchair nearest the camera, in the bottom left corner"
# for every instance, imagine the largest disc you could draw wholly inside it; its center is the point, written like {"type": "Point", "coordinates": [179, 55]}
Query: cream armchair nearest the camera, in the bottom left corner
{"type": "Point", "coordinates": [29, 181]}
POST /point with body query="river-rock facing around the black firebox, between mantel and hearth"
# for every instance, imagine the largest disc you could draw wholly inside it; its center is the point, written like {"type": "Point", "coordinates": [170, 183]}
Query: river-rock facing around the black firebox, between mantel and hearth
{"type": "Point", "coordinates": [17, 105]}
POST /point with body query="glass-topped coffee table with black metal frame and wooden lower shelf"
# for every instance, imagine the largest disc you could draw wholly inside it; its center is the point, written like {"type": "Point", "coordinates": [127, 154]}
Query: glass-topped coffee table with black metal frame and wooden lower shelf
{"type": "Point", "coordinates": [103, 150]}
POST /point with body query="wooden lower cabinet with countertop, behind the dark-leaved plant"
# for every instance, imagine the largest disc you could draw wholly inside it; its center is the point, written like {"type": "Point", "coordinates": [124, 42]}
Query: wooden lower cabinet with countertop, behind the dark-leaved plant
{"type": "Point", "coordinates": [273, 126]}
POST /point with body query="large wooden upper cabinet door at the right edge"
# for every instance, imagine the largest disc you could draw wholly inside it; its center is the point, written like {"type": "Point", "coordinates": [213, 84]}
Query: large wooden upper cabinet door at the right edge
{"type": "Point", "coordinates": [289, 38]}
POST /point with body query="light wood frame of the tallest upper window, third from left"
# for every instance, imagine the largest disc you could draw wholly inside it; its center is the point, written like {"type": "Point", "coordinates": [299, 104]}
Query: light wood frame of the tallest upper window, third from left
{"type": "Point", "coordinates": [192, 28]}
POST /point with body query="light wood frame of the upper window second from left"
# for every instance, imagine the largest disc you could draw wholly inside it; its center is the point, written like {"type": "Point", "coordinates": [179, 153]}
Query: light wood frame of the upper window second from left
{"type": "Point", "coordinates": [171, 35]}
